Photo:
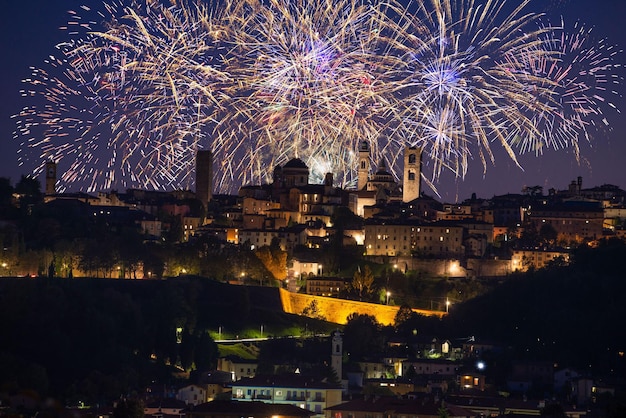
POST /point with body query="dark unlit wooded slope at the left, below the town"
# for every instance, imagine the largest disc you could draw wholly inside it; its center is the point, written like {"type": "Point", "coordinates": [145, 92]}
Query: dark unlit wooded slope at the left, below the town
{"type": "Point", "coordinates": [98, 338]}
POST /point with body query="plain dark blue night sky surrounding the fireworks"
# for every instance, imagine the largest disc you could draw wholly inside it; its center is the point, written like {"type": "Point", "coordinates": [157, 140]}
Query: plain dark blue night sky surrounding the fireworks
{"type": "Point", "coordinates": [29, 31]}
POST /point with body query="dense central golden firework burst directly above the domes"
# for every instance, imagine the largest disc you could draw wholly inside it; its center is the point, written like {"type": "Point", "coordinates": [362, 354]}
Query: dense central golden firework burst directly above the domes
{"type": "Point", "coordinates": [317, 77]}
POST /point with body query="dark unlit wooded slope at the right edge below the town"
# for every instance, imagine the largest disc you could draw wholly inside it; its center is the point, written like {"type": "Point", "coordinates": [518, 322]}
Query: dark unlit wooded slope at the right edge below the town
{"type": "Point", "coordinates": [569, 314]}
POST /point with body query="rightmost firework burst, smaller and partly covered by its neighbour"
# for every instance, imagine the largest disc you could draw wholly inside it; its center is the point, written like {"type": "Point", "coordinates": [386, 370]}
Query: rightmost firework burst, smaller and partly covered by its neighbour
{"type": "Point", "coordinates": [582, 75]}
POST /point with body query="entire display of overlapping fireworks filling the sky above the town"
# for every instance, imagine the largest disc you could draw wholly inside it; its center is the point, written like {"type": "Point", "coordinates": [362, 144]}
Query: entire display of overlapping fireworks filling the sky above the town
{"type": "Point", "coordinates": [139, 88]}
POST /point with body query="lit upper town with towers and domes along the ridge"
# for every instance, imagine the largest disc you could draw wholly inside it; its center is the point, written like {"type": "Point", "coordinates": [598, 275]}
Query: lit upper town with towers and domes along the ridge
{"type": "Point", "coordinates": [383, 219]}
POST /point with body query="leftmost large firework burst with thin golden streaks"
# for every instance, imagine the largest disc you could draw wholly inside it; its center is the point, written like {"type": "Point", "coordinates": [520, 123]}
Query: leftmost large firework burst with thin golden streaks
{"type": "Point", "coordinates": [126, 105]}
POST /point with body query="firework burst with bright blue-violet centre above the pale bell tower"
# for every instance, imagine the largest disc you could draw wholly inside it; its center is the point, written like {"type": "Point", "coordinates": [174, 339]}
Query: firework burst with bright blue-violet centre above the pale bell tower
{"type": "Point", "coordinates": [461, 95]}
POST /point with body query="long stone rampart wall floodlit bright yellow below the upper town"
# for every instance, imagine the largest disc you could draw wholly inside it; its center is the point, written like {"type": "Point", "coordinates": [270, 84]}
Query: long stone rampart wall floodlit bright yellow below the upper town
{"type": "Point", "coordinates": [338, 310]}
